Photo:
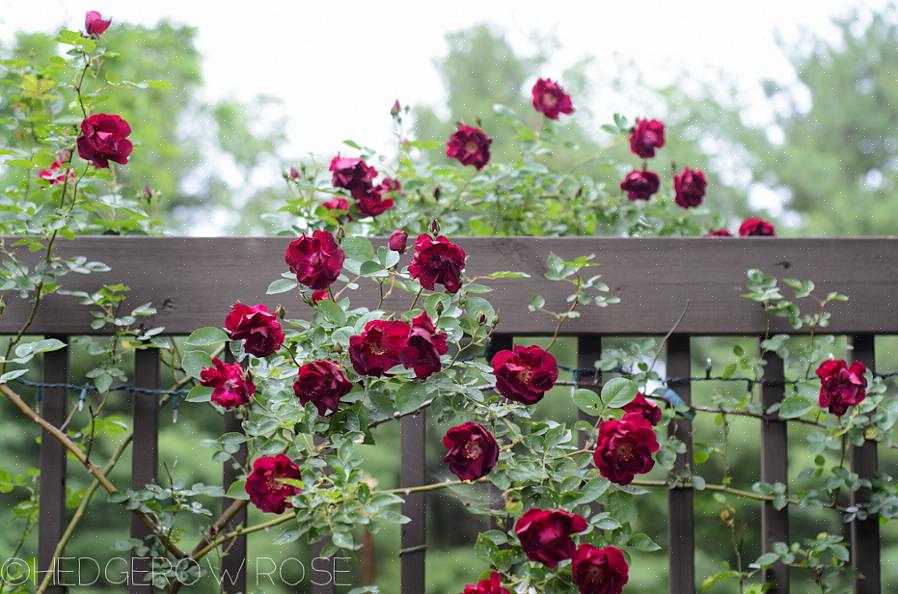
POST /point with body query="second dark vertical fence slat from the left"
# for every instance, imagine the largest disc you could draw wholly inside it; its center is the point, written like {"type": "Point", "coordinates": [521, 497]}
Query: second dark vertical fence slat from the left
{"type": "Point", "coordinates": [144, 451]}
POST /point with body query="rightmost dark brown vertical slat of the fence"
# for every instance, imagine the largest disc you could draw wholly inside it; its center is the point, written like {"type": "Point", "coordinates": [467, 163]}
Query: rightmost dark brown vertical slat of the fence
{"type": "Point", "coordinates": [865, 533]}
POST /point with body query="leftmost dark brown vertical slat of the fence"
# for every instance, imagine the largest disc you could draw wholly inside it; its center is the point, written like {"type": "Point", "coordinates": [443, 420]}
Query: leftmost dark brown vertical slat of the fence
{"type": "Point", "coordinates": [52, 461]}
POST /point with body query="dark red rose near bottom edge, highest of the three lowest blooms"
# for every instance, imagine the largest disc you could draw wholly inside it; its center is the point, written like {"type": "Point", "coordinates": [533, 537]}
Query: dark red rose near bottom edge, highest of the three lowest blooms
{"type": "Point", "coordinates": [545, 535]}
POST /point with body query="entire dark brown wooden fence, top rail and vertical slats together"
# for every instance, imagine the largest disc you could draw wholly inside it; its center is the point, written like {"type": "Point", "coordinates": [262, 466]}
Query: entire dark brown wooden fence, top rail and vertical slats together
{"type": "Point", "coordinates": [193, 283]}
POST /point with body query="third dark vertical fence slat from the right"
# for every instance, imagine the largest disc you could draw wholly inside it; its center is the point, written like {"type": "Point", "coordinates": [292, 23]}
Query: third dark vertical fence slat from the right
{"type": "Point", "coordinates": [680, 536]}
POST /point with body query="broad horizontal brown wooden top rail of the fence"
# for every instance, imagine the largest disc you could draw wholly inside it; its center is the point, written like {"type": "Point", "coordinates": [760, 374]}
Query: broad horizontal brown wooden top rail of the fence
{"type": "Point", "coordinates": [194, 281]}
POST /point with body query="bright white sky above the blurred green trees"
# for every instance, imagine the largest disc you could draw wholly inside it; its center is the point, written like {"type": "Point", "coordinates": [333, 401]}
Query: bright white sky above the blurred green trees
{"type": "Point", "coordinates": [338, 66]}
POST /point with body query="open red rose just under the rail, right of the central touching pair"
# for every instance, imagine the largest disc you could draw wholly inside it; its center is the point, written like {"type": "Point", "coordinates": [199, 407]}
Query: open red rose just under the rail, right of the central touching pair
{"type": "Point", "coordinates": [524, 374]}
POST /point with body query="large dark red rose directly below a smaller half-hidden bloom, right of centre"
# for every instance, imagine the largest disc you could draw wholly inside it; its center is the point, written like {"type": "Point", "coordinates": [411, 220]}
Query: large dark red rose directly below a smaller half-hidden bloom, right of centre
{"type": "Point", "coordinates": [625, 448]}
